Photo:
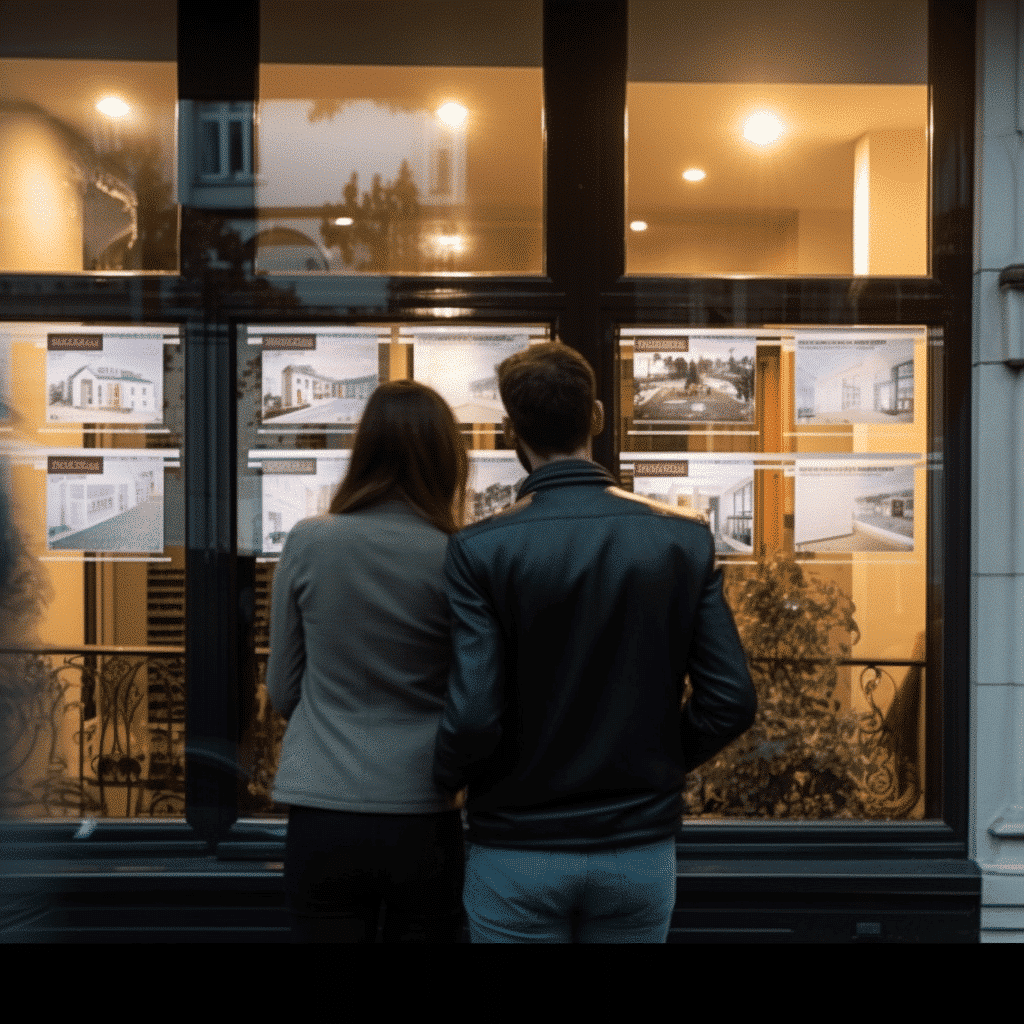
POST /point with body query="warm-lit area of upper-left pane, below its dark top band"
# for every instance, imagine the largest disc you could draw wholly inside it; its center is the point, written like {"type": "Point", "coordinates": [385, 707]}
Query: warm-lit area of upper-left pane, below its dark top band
{"type": "Point", "coordinates": [88, 165]}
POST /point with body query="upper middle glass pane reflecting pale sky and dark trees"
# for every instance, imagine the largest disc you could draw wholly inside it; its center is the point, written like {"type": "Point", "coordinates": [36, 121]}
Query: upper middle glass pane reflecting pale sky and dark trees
{"type": "Point", "coordinates": [399, 138]}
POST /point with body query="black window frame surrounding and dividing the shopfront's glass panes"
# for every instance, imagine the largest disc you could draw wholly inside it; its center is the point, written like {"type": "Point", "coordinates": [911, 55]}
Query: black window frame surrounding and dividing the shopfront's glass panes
{"type": "Point", "coordinates": [586, 297]}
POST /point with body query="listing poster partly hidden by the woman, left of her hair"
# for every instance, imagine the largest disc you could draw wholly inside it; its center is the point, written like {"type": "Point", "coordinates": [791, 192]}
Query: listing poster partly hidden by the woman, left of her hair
{"type": "Point", "coordinates": [294, 488]}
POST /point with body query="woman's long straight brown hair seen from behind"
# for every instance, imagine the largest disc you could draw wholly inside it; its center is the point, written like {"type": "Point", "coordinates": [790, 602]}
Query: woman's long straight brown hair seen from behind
{"type": "Point", "coordinates": [408, 446]}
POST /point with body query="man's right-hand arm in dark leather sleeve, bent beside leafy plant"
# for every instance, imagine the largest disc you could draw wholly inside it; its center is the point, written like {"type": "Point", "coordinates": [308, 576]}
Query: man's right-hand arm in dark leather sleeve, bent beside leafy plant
{"type": "Point", "coordinates": [723, 703]}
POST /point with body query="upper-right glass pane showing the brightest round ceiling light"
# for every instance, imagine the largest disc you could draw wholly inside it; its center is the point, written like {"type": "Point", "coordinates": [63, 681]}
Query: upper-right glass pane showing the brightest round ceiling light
{"type": "Point", "coordinates": [785, 139]}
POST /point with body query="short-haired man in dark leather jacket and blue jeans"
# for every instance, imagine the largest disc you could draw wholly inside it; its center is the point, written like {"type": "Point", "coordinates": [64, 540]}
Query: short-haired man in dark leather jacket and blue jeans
{"type": "Point", "coordinates": [577, 614]}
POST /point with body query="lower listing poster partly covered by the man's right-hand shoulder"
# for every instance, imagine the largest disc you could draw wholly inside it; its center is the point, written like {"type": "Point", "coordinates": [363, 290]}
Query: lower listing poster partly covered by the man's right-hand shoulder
{"type": "Point", "coordinates": [721, 489]}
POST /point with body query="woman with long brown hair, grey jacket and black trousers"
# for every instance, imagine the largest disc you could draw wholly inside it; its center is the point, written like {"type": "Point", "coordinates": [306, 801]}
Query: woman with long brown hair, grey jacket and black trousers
{"type": "Point", "coordinates": [360, 653]}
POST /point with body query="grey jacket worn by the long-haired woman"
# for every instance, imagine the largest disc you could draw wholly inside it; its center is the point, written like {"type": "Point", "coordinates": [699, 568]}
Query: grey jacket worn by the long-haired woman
{"type": "Point", "coordinates": [360, 654]}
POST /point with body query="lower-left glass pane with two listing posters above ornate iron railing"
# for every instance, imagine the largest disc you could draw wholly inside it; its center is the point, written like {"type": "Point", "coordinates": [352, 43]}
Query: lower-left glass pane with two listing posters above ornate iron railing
{"type": "Point", "coordinates": [94, 660]}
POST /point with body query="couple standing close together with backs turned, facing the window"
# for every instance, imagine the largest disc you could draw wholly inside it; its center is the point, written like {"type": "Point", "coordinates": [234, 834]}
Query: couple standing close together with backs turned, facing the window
{"type": "Point", "coordinates": [531, 666]}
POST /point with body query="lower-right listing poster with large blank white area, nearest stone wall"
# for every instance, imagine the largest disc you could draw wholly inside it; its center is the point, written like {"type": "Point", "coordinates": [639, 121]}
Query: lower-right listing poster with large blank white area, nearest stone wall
{"type": "Point", "coordinates": [855, 505]}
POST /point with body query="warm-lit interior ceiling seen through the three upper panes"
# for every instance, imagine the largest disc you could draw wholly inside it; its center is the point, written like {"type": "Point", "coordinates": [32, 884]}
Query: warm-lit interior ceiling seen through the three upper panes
{"type": "Point", "coordinates": [672, 126]}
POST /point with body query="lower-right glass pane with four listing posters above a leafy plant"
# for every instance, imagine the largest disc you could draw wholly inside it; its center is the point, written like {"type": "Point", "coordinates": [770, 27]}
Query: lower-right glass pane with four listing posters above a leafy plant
{"type": "Point", "coordinates": [807, 451]}
